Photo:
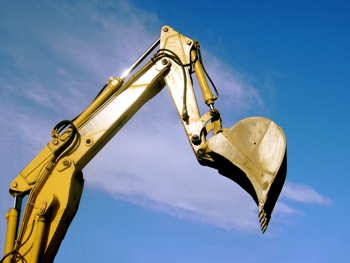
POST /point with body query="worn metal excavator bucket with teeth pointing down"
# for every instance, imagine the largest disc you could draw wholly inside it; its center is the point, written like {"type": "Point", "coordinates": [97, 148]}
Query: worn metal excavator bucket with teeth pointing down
{"type": "Point", "coordinates": [253, 154]}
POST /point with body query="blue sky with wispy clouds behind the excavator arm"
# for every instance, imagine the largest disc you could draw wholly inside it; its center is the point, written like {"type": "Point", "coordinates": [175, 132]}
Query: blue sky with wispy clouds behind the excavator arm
{"type": "Point", "coordinates": [146, 199]}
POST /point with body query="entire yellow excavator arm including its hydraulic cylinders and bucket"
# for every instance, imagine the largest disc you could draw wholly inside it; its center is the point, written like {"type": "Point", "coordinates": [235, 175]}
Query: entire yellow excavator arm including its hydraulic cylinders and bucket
{"type": "Point", "coordinates": [251, 153]}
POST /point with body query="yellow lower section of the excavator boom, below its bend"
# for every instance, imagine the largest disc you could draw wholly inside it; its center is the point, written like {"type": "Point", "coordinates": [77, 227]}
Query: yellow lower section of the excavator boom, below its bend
{"type": "Point", "coordinates": [56, 195]}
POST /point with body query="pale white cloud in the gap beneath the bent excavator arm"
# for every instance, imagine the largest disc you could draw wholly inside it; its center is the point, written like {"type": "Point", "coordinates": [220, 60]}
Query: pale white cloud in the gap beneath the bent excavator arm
{"type": "Point", "coordinates": [155, 167]}
